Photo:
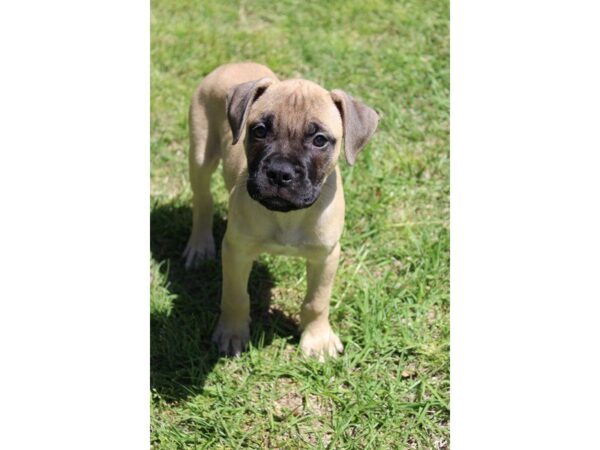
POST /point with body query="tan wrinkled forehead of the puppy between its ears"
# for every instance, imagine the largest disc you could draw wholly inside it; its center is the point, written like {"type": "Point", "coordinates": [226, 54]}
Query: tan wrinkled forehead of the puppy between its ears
{"type": "Point", "coordinates": [298, 107]}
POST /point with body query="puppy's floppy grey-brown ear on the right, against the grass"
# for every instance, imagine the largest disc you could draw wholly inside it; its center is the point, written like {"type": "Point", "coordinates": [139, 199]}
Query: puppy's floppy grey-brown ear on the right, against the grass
{"type": "Point", "coordinates": [359, 121]}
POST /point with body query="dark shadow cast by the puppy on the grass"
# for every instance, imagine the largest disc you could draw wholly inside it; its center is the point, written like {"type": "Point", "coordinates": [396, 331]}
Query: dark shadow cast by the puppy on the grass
{"type": "Point", "coordinates": [181, 351]}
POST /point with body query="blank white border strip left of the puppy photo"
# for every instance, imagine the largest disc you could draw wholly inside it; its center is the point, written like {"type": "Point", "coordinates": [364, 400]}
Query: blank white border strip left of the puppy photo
{"type": "Point", "coordinates": [74, 233]}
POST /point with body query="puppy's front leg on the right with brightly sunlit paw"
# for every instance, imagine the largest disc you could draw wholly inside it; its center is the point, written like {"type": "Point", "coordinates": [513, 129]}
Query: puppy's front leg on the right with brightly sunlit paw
{"type": "Point", "coordinates": [317, 337]}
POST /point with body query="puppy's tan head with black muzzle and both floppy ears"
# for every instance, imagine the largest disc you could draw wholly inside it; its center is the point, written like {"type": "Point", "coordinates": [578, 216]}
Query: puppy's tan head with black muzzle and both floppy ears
{"type": "Point", "coordinates": [293, 136]}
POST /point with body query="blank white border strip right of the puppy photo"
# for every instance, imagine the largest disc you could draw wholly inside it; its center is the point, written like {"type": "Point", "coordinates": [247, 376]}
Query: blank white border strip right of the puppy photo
{"type": "Point", "coordinates": [525, 227]}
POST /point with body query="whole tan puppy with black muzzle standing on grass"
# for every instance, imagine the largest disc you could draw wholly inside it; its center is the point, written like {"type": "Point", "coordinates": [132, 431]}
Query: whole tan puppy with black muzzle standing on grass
{"type": "Point", "coordinates": [280, 142]}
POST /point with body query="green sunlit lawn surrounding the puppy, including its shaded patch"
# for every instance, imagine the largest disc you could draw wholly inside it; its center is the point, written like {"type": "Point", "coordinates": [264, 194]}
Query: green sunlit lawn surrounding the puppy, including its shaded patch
{"type": "Point", "coordinates": [390, 304]}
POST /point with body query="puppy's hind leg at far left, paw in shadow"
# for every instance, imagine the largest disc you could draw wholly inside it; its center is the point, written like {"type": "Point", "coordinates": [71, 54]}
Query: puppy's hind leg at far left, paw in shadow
{"type": "Point", "coordinates": [204, 158]}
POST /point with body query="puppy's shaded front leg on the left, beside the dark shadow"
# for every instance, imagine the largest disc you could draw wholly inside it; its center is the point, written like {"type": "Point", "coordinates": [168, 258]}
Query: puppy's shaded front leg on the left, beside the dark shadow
{"type": "Point", "coordinates": [233, 330]}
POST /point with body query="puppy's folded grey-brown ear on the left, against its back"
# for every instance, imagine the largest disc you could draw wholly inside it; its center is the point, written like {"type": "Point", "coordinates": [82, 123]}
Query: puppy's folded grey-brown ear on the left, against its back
{"type": "Point", "coordinates": [239, 100]}
